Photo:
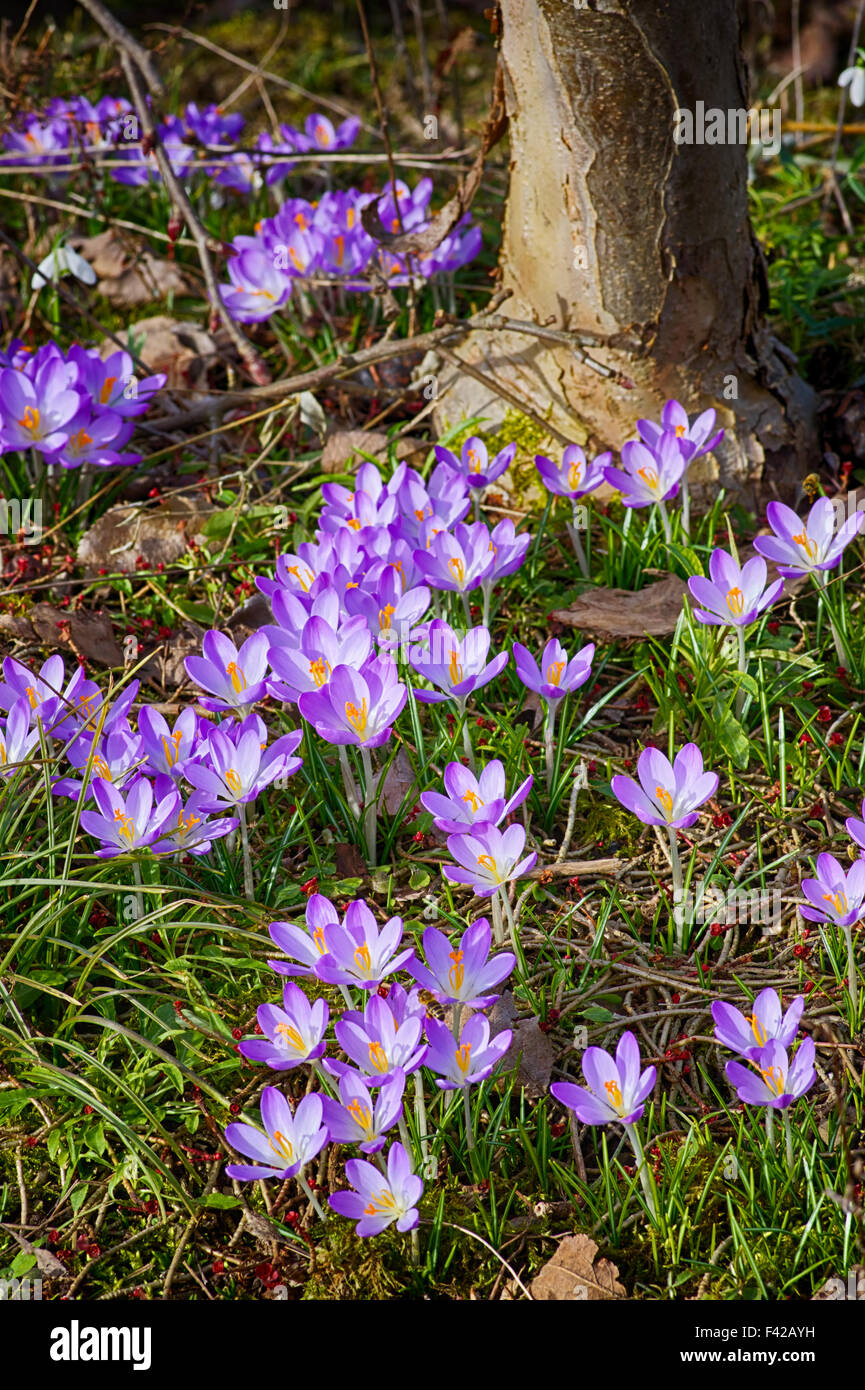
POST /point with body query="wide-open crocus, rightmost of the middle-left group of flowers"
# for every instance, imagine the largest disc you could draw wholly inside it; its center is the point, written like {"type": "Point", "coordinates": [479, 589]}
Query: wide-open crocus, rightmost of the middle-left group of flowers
{"type": "Point", "coordinates": [236, 767]}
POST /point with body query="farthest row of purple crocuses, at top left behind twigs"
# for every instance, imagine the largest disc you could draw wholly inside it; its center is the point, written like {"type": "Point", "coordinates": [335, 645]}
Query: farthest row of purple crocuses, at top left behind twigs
{"type": "Point", "coordinates": [73, 126]}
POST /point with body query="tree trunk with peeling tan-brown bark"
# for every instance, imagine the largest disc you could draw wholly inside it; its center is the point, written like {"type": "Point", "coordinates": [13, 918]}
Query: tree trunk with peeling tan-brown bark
{"type": "Point", "coordinates": [615, 229]}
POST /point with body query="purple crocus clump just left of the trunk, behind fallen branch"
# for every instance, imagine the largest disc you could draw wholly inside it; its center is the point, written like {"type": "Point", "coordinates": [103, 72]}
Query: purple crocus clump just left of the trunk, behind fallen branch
{"type": "Point", "coordinates": [328, 240]}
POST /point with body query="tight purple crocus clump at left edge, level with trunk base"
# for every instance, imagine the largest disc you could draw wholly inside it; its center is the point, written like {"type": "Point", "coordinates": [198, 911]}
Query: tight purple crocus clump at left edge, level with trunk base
{"type": "Point", "coordinates": [72, 408]}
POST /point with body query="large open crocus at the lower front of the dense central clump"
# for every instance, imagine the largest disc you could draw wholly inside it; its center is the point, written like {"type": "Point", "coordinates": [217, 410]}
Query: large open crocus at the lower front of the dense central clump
{"type": "Point", "coordinates": [357, 707]}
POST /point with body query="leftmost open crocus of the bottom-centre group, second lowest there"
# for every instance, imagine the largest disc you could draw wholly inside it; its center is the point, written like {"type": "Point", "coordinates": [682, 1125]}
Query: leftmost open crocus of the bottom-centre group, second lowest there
{"type": "Point", "coordinates": [290, 1143]}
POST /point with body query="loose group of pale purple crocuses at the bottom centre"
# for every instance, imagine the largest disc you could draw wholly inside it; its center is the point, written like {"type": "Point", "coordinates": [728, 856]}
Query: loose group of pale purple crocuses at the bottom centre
{"type": "Point", "coordinates": [383, 1045]}
